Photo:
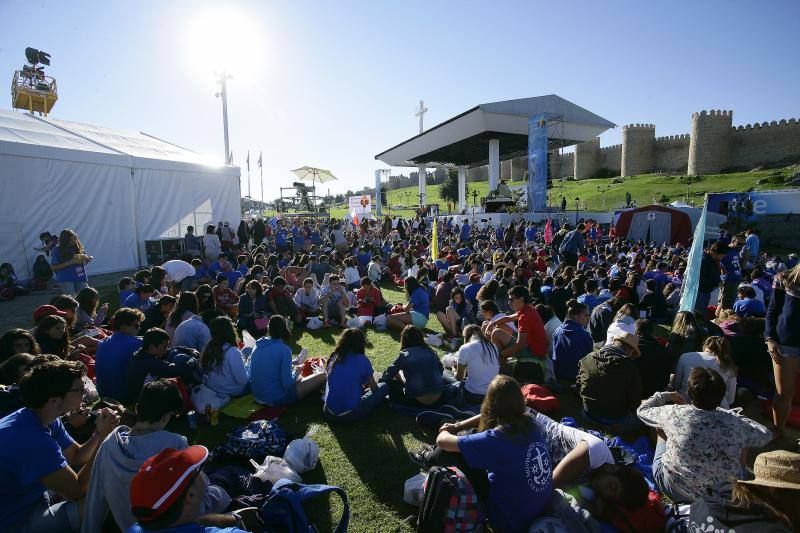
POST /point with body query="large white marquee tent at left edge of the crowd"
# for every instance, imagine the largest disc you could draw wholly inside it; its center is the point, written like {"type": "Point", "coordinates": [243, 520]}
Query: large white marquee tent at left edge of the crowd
{"type": "Point", "coordinates": [116, 189]}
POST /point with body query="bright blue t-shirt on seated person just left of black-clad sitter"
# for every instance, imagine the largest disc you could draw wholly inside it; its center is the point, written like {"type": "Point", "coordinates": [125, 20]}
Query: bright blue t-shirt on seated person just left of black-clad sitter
{"type": "Point", "coordinates": [111, 364]}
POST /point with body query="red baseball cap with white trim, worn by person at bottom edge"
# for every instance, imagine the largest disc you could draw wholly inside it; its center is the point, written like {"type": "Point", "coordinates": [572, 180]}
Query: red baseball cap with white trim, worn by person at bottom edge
{"type": "Point", "coordinates": [163, 479]}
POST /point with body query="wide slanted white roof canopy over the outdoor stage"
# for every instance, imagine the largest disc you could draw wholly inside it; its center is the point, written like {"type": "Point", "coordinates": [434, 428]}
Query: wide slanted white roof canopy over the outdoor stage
{"type": "Point", "coordinates": [464, 139]}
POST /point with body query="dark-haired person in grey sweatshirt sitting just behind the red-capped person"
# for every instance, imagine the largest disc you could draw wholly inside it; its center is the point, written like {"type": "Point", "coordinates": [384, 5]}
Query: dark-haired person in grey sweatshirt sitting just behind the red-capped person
{"type": "Point", "coordinates": [121, 455]}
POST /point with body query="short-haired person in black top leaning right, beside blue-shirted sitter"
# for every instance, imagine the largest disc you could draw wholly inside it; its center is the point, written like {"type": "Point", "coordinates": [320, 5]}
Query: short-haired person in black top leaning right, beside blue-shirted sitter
{"type": "Point", "coordinates": [149, 362]}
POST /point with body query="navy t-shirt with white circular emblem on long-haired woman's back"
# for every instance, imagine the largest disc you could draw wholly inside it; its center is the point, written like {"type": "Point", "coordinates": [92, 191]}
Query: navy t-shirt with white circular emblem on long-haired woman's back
{"type": "Point", "coordinates": [520, 475]}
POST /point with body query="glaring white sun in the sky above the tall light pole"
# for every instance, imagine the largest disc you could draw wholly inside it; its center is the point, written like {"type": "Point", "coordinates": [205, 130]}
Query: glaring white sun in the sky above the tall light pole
{"type": "Point", "coordinates": [223, 39]}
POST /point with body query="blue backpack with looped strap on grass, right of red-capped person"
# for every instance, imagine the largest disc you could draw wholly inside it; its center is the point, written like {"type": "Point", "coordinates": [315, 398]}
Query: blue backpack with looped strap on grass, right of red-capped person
{"type": "Point", "coordinates": [283, 512]}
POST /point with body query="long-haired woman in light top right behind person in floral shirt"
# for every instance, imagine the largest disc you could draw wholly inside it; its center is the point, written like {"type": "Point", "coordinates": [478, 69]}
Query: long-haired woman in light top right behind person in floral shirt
{"type": "Point", "coordinates": [716, 354]}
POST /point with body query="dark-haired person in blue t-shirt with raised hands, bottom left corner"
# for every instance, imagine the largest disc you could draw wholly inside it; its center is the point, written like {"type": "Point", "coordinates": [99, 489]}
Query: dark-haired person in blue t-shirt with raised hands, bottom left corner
{"type": "Point", "coordinates": [37, 454]}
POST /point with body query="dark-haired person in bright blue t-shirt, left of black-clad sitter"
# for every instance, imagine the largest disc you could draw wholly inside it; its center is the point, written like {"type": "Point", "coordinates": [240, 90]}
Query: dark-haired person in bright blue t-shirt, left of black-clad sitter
{"type": "Point", "coordinates": [114, 353]}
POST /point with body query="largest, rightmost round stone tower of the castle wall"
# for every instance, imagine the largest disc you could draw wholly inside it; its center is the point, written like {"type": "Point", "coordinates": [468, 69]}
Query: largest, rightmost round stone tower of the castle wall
{"type": "Point", "coordinates": [709, 144]}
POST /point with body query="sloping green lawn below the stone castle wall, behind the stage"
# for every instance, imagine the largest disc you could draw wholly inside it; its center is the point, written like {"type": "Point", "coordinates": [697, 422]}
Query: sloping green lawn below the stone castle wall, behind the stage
{"type": "Point", "coordinates": [644, 189]}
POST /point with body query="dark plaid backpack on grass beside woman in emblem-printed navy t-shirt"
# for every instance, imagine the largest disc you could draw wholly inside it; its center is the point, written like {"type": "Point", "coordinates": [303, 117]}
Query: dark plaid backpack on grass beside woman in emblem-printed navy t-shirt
{"type": "Point", "coordinates": [449, 503]}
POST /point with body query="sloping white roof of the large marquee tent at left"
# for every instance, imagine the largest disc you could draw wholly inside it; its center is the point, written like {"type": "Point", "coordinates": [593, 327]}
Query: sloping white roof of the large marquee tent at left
{"type": "Point", "coordinates": [23, 134]}
